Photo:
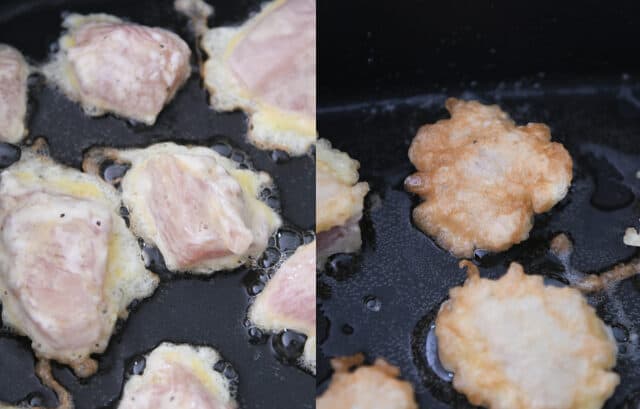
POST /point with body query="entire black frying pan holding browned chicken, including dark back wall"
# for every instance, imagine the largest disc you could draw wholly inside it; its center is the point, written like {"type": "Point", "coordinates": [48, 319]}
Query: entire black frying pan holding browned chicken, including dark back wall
{"type": "Point", "coordinates": [385, 70]}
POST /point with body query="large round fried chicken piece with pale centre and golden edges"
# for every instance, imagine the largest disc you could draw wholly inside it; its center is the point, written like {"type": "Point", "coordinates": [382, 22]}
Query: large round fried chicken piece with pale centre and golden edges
{"type": "Point", "coordinates": [514, 343]}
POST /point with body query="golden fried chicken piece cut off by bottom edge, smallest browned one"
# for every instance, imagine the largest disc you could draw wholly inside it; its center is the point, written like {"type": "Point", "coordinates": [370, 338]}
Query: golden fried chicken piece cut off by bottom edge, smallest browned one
{"type": "Point", "coordinates": [368, 386]}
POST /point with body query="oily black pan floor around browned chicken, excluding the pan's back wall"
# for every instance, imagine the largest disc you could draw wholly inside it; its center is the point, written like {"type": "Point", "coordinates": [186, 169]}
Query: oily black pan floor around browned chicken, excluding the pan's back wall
{"type": "Point", "coordinates": [410, 276]}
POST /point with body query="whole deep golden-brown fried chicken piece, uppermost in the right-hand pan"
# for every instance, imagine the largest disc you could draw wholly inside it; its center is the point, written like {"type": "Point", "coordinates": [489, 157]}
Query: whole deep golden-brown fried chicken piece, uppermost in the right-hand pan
{"type": "Point", "coordinates": [482, 178]}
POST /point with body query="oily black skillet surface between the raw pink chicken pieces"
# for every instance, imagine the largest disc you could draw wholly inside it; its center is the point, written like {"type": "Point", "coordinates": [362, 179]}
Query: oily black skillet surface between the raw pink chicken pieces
{"type": "Point", "coordinates": [186, 309]}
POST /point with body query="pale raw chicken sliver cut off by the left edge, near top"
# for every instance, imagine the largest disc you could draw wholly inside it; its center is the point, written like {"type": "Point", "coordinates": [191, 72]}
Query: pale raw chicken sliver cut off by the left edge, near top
{"type": "Point", "coordinates": [14, 72]}
